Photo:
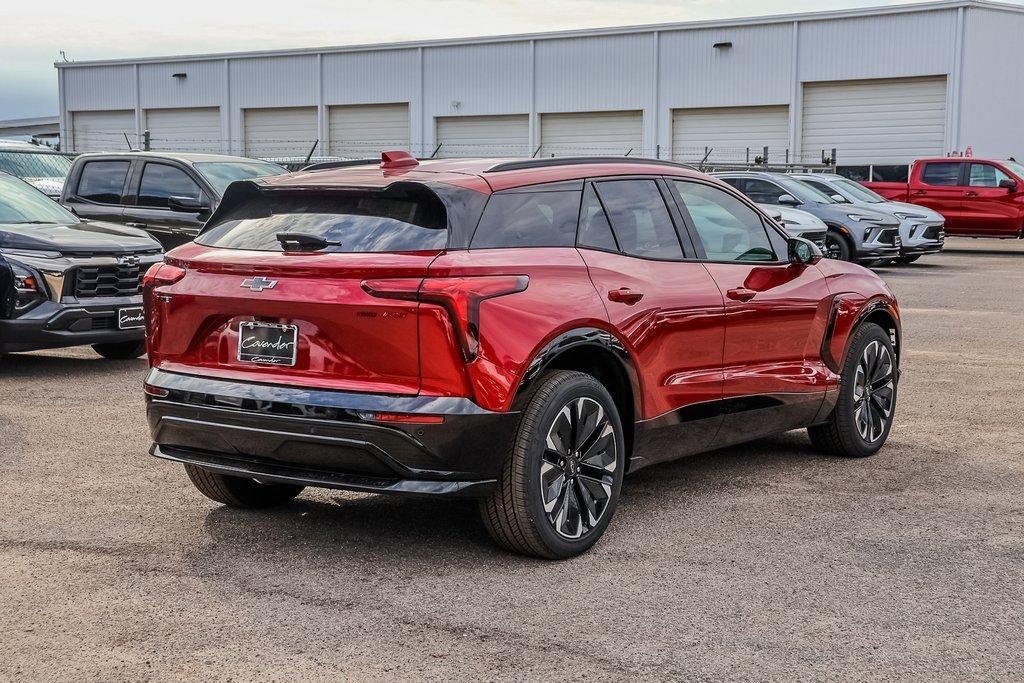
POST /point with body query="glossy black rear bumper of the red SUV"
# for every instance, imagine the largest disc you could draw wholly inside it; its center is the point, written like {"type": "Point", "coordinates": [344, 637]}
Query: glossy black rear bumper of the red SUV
{"type": "Point", "coordinates": [328, 439]}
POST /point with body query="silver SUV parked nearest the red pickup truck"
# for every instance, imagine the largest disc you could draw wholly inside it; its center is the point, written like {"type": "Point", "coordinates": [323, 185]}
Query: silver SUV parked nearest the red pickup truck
{"type": "Point", "coordinates": [922, 231]}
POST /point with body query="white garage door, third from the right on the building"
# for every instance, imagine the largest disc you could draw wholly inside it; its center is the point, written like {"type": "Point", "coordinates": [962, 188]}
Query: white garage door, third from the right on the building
{"type": "Point", "coordinates": [589, 134]}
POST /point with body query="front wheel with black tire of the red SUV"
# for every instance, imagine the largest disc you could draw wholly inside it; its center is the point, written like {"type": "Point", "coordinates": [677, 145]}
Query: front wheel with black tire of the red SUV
{"type": "Point", "coordinates": [844, 433]}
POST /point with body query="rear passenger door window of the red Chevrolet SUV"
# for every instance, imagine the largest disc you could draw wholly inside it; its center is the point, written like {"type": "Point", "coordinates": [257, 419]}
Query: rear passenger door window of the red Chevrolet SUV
{"type": "Point", "coordinates": [641, 220]}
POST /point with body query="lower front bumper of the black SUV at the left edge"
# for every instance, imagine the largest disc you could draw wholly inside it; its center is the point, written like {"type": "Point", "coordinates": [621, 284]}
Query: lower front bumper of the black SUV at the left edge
{"type": "Point", "coordinates": [54, 325]}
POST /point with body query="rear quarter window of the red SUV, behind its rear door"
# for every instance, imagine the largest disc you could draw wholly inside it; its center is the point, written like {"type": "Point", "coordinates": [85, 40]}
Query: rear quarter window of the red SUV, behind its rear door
{"type": "Point", "coordinates": [529, 220]}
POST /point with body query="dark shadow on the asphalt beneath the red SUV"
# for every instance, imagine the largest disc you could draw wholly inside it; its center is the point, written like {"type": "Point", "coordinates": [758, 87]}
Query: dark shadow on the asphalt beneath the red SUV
{"type": "Point", "coordinates": [349, 532]}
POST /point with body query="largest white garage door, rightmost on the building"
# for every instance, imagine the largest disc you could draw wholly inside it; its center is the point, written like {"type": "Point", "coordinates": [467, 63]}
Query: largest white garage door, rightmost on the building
{"type": "Point", "coordinates": [891, 121]}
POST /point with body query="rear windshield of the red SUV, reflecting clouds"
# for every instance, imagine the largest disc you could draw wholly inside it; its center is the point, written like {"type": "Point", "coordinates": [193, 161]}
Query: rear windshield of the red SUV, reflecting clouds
{"type": "Point", "coordinates": [351, 223]}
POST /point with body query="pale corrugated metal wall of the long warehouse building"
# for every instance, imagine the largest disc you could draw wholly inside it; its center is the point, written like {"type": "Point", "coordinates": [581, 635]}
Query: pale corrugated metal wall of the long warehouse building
{"type": "Point", "coordinates": [654, 72]}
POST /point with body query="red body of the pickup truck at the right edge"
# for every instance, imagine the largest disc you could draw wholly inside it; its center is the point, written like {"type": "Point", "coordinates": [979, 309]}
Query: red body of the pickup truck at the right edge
{"type": "Point", "coordinates": [970, 211]}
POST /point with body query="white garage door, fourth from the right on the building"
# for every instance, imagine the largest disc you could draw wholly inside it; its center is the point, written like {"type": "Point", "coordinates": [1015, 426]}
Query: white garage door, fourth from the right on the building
{"type": "Point", "coordinates": [483, 136]}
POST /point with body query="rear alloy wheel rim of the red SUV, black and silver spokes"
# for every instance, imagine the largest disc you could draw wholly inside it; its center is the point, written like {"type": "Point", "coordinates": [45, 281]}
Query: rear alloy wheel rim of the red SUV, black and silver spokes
{"type": "Point", "coordinates": [578, 468]}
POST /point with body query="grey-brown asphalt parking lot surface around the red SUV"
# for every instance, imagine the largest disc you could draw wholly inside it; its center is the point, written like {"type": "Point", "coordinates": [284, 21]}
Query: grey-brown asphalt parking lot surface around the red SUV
{"type": "Point", "coordinates": [763, 562]}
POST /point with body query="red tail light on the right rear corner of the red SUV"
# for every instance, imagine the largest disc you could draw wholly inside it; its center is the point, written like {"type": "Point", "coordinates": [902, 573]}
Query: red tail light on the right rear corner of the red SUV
{"type": "Point", "coordinates": [461, 297]}
